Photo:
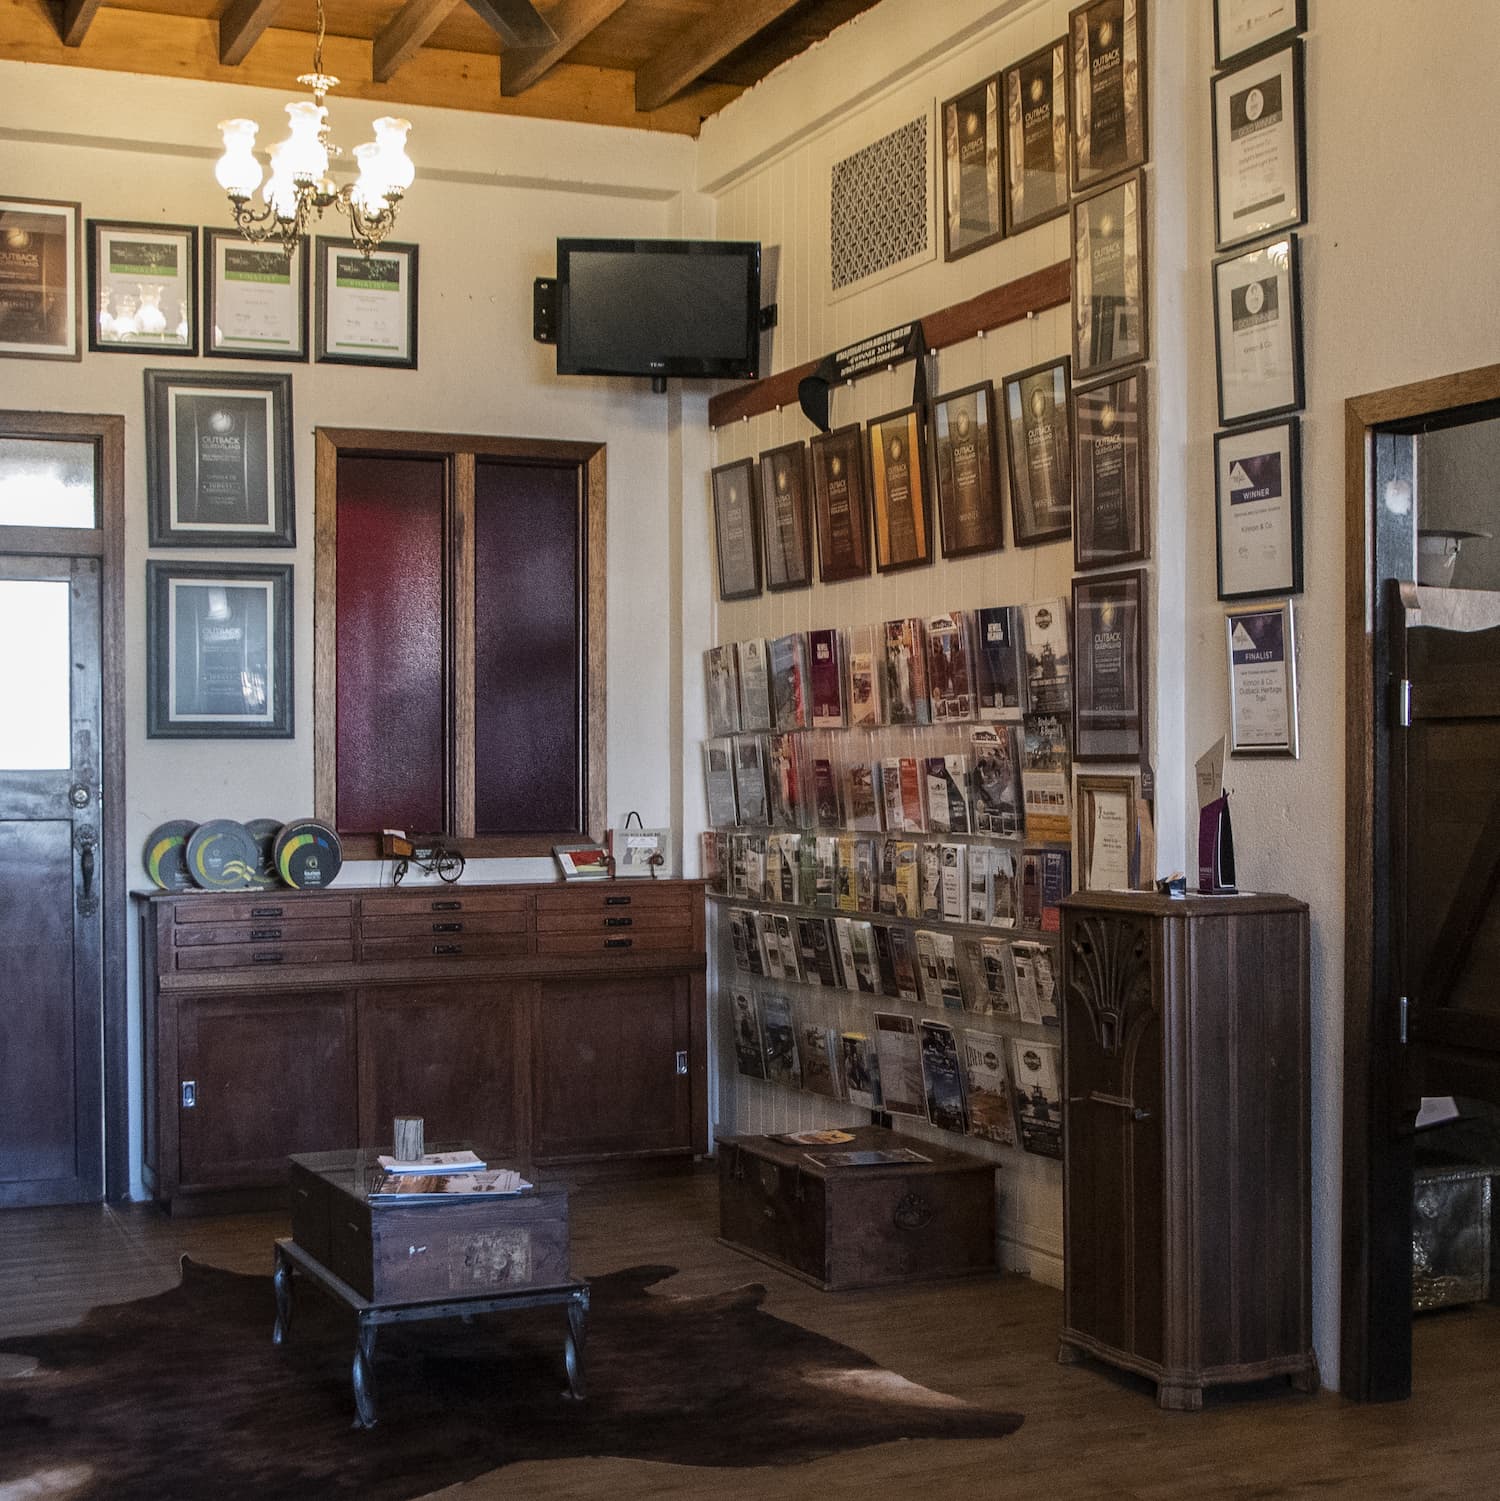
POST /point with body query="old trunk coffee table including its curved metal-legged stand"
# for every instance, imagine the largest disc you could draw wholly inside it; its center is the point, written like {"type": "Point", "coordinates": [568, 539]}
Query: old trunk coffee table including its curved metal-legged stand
{"type": "Point", "coordinates": [429, 1260]}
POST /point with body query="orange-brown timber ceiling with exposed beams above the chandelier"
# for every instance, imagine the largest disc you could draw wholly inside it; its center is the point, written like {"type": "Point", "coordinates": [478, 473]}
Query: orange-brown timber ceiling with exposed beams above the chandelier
{"type": "Point", "coordinates": [661, 65]}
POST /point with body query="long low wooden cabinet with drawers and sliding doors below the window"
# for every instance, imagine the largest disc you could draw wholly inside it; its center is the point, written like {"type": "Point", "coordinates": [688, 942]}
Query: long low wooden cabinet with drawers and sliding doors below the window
{"type": "Point", "coordinates": [543, 1023]}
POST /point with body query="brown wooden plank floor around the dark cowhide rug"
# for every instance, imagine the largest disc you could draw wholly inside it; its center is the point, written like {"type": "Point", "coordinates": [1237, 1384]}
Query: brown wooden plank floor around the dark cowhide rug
{"type": "Point", "coordinates": [1089, 1434]}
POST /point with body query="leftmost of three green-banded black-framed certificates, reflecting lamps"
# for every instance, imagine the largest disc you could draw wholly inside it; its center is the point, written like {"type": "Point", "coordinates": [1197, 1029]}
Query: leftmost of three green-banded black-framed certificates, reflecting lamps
{"type": "Point", "coordinates": [143, 283]}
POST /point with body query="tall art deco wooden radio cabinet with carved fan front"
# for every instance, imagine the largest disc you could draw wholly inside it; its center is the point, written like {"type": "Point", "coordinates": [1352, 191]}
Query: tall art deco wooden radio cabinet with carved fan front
{"type": "Point", "coordinates": [1187, 1140]}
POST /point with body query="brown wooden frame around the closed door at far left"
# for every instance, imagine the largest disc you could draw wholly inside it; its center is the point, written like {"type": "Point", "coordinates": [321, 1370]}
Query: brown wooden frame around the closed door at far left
{"type": "Point", "coordinates": [109, 546]}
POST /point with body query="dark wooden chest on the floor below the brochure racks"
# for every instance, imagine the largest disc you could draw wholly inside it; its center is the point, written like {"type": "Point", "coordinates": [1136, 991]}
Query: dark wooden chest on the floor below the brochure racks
{"type": "Point", "coordinates": [858, 1227]}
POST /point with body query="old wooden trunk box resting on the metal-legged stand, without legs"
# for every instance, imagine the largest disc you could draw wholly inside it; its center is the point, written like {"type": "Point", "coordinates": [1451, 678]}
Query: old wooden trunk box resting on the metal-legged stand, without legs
{"type": "Point", "coordinates": [415, 1253]}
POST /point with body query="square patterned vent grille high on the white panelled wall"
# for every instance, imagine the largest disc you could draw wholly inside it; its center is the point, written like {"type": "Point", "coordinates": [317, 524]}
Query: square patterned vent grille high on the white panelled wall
{"type": "Point", "coordinates": [879, 206]}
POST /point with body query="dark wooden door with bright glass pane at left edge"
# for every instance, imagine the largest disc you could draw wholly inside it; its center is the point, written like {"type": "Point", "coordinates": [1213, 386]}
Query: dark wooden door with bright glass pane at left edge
{"type": "Point", "coordinates": [52, 877]}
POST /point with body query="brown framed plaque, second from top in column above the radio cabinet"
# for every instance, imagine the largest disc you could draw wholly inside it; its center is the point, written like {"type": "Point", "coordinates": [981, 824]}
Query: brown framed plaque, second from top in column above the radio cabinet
{"type": "Point", "coordinates": [1110, 278]}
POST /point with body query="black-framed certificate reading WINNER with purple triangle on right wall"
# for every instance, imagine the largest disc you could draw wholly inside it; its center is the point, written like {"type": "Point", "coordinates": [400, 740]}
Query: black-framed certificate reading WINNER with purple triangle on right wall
{"type": "Point", "coordinates": [1259, 510]}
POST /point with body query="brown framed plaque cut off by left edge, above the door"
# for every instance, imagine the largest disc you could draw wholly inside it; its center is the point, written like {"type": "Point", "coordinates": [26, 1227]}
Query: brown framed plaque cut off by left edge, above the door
{"type": "Point", "coordinates": [41, 256]}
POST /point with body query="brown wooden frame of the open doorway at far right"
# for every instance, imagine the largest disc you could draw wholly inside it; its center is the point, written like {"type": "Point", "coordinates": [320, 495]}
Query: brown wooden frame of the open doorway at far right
{"type": "Point", "coordinates": [1376, 1301]}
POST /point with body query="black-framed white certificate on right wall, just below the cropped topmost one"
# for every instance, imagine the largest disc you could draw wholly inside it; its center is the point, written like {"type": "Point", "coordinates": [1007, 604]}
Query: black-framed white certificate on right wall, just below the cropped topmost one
{"type": "Point", "coordinates": [1261, 158]}
